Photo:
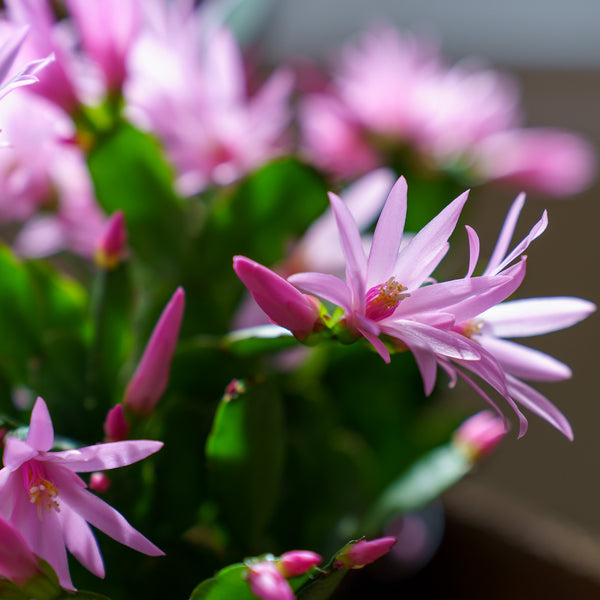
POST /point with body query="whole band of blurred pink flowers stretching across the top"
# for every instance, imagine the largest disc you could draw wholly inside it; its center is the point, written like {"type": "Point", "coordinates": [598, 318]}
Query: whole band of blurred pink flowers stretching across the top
{"type": "Point", "coordinates": [182, 77]}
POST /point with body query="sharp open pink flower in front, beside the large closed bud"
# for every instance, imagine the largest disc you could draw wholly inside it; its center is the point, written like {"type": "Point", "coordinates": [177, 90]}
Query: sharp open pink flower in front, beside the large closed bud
{"type": "Point", "coordinates": [384, 293]}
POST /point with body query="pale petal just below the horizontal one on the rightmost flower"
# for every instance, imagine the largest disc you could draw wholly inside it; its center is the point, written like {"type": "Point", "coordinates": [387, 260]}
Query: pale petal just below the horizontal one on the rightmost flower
{"type": "Point", "coordinates": [525, 362]}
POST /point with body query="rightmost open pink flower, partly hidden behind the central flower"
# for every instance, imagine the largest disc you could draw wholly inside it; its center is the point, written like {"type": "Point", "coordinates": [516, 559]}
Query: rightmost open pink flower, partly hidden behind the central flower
{"type": "Point", "coordinates": [503, 363]}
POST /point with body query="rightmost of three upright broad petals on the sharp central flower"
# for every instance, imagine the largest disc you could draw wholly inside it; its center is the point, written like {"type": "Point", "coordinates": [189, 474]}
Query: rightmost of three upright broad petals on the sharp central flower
{"type": "Point", "coordinates": [410, 268]}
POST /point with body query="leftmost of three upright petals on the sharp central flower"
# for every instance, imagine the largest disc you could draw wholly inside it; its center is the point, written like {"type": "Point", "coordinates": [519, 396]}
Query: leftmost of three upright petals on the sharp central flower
{"type": "Point", "coordinates": [356, 261]}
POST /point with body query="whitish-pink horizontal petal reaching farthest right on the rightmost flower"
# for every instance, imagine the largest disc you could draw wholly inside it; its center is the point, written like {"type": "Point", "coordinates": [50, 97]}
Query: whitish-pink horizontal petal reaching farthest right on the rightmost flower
{"type": "Point", "coordinates": [535, 316]}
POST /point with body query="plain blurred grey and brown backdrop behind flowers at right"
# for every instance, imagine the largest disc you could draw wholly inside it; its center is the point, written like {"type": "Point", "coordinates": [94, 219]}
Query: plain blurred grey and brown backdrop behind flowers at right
{"type": "Point", "coordinates": [553, 50]}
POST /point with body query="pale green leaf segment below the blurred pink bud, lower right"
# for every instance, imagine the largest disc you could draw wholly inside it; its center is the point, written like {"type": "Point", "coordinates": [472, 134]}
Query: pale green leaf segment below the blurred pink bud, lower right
{"type": "Point", "coordinates": [424, 481]}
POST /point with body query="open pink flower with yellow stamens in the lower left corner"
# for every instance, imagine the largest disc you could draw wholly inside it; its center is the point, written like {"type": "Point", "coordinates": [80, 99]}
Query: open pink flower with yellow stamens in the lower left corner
{"type": "Point", "coordinates": [41, 495]}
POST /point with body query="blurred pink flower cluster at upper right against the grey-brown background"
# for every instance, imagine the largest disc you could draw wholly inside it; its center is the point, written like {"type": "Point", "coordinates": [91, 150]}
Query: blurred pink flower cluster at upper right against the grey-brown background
{"type": "Point", "coordinates": [392, 95]}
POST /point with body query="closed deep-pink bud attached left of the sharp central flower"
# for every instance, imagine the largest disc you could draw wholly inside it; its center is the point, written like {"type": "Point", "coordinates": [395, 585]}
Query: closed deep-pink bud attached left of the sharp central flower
{"type": "Point", "coordinates": [279, 299]}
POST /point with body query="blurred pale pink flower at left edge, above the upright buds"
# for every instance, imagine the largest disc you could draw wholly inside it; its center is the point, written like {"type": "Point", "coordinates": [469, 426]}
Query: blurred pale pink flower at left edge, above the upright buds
{"type": "Point", "coordinates": [44, 181]}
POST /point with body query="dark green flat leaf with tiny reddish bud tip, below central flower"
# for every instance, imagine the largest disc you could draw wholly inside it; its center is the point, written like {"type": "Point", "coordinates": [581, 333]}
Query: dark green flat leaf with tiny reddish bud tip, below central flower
{"type": "Point", "coordinates": [245, 460]}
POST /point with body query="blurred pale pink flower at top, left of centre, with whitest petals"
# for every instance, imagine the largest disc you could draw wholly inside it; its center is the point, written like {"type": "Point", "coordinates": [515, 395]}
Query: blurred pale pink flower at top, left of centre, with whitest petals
{"type": "Point", "coordinates": [188, 85]}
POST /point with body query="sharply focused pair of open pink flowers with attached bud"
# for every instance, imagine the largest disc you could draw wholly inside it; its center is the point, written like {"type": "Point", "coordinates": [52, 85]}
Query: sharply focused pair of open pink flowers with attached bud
{"type": "Point", "coordinates": [390, 299]}
